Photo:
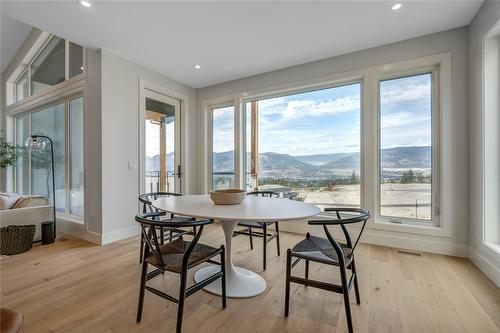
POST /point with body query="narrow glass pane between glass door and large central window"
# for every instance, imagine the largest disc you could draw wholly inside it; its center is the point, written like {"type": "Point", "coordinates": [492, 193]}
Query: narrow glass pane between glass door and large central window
{"type": "Point", "coordinates": [223, 147]}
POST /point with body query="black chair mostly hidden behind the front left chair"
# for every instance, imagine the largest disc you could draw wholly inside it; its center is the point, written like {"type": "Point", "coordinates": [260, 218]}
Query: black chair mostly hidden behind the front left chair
{"type": "Point", "coordinates": [167, 233]}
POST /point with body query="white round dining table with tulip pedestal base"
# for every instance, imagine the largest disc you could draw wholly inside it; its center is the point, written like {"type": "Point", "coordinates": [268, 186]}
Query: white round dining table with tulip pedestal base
{"type": "Point", "coordinates": [240, 282]}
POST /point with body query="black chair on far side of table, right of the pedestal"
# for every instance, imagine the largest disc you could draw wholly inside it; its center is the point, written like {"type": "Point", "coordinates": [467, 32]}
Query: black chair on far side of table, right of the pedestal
{"type": "Point", "coordinates": [264, 234]}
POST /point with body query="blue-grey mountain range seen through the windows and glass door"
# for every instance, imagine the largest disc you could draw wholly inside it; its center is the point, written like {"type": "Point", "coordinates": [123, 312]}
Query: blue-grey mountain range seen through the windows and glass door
{"type": "Point", "coordinates": [318, 165]}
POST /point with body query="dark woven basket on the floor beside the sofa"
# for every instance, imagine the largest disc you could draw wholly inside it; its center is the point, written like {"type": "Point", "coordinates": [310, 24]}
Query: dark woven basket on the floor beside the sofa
{"type": "Point", "coordinates": [15, 239]}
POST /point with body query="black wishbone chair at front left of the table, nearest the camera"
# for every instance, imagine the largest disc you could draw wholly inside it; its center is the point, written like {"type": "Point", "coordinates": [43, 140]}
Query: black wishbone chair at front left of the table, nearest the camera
{"type": "Point", "coordinates": [177, 256]}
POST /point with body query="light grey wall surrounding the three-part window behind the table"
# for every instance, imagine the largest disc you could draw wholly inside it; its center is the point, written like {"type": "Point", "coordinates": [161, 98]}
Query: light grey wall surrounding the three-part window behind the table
{"type": "Point", "coordinates": [455, 152]}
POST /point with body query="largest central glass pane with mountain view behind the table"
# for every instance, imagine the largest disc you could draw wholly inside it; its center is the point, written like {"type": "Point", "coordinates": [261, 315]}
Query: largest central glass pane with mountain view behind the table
{"type": "Point", "coordinates": [307, 143]}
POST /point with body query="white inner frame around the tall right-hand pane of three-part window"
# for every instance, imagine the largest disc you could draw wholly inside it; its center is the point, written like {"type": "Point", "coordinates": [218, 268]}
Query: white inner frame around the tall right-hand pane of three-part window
{"type": "Point", "coordinates": [435, 147]}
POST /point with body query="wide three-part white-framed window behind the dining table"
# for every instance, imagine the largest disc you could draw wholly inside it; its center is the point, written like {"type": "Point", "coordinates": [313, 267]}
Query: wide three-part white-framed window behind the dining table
{"type": "Point", "coordinates": [371, 138]}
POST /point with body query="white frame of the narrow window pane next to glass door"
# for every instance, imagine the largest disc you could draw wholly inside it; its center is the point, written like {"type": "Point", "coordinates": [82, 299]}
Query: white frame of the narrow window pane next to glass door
{"type": "Point", "coordinates": [211, 108]}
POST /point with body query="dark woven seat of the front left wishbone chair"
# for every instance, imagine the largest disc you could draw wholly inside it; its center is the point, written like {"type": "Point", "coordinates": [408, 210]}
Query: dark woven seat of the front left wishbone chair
{"type": "Point", "coordinates": [173, 254]}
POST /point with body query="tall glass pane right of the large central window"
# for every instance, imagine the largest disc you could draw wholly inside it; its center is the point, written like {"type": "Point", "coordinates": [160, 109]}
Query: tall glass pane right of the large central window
{"type": "Point", "coordinates": [406, 147]}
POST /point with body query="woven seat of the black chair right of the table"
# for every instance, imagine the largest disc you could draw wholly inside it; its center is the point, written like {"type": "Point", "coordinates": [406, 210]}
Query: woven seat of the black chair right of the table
{"type": "Point", "coordinates": [320, 250]}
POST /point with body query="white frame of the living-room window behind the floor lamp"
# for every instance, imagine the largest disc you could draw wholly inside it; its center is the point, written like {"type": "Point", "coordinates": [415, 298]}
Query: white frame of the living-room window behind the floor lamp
{"type": "Point", "coordinates": [66, 100]}
